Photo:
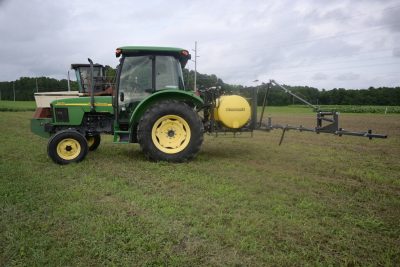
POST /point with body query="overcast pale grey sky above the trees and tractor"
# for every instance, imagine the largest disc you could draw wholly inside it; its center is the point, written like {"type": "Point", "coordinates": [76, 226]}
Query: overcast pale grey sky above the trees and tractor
{"type": "Point", "coordinates": [324, 44]}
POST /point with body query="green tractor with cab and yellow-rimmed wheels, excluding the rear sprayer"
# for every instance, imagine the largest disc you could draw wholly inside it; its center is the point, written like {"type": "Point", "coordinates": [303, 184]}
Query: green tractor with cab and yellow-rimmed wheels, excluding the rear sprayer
{"type": "Point", "coordinates": [149, 105]}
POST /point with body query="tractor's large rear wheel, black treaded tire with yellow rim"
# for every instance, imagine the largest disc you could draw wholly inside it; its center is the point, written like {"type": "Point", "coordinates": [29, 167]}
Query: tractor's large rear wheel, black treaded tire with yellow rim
{"type": "Point", "coordinates": [170, 131]}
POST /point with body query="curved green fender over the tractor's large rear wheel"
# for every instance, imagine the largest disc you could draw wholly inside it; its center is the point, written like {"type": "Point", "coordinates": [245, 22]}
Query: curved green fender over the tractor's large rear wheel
{"type": "Point", "coordinates": [184, 96]}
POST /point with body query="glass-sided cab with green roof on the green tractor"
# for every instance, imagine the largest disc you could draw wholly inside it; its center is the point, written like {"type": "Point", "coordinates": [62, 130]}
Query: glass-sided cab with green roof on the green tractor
{"type": "Point", "coordinates": [144, 71]}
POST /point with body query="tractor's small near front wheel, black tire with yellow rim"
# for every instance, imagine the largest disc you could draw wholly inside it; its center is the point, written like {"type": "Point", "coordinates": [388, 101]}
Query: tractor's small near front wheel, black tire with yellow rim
{"type": "Point", "coordinates": [67, 146]}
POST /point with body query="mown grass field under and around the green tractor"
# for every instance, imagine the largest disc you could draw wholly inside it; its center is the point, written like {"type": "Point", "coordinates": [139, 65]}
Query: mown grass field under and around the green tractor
{"type": "Point", "coordinates": [315, 200]}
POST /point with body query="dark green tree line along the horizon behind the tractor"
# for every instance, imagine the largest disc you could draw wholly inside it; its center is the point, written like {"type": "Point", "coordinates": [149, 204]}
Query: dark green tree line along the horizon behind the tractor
{"type": "Point", "coordinates": [25, 87]}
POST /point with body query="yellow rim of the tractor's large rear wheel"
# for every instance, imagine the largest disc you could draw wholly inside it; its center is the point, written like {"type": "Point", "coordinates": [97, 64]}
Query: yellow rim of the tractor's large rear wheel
{"type": "Point", "coordinates": [171, 134]}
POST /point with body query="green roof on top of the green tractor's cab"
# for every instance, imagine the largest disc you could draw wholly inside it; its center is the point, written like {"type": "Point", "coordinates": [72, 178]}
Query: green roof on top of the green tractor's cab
{"type": "Point", "coordinates": [180, 53]}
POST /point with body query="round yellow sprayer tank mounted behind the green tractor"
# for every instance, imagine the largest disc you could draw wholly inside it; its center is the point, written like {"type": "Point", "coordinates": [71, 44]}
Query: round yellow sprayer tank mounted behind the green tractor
{"type": "Point", "coordinates": [232, 111]}
